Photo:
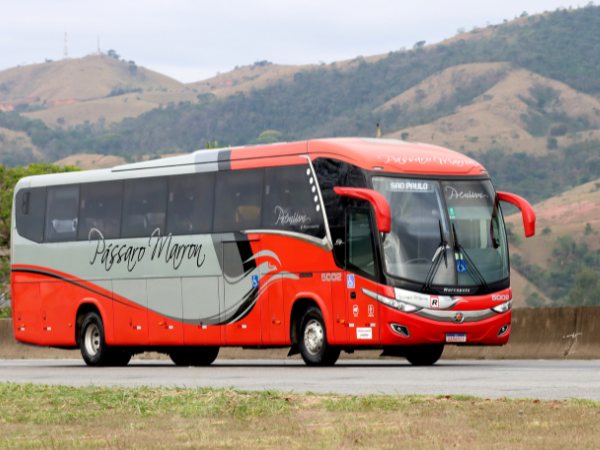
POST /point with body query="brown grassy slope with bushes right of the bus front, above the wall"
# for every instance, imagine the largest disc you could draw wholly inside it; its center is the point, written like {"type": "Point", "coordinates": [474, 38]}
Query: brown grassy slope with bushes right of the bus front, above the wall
{"type": "Point", "coordinates": [563, 259]}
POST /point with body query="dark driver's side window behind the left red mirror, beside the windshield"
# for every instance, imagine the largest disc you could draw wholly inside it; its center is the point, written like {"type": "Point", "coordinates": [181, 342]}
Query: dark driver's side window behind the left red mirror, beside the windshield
{"type": "Point", "coordinates": [361, 255]}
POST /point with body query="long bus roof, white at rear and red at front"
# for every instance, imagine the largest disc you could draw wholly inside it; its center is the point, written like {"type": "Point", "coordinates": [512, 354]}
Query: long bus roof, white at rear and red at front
{"type": "Point", "coordinates": [385, 155]}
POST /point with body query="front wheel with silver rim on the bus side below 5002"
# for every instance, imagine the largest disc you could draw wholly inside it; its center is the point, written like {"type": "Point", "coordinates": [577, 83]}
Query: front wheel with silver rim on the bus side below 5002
{"type": "Point", "coordinates": [313, 345]}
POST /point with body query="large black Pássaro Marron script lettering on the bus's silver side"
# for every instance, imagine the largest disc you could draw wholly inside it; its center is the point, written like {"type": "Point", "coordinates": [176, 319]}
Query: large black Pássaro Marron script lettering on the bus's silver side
{"type": "Point", "coordinates": [158, 248]}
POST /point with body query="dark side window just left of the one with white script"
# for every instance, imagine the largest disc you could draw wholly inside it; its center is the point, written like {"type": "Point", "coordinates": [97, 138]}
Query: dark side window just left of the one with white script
{"type": "Point", "coordinates": [238, 200]}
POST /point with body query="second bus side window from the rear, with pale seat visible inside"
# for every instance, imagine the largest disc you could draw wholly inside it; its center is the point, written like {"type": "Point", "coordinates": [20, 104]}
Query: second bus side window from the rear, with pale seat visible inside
{"type": "Point", "coordinates": [61, 215]}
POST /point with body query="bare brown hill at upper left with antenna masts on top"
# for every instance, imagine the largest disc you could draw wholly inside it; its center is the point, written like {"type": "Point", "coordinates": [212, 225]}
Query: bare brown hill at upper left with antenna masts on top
{"type": "Point", "coordinates": [94, 88]}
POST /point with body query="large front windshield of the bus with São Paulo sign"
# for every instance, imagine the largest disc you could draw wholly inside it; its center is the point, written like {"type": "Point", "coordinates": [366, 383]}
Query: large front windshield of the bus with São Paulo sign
{"type": "Point", "coordinates": [444, 233]}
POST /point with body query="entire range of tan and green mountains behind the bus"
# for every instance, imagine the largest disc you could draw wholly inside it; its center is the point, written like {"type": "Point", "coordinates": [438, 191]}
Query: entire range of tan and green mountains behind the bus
{"type": "Point", "coordinates": [523, 97]}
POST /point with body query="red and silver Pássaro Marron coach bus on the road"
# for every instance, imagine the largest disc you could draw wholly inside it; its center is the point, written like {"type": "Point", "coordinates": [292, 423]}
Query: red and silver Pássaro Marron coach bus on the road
{"type": "Point", "coordinates": [321, 246]}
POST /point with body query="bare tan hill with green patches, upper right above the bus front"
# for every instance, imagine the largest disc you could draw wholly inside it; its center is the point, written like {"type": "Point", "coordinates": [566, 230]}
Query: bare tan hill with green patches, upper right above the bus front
{"type": "Point", "coordinates": [517, 113]}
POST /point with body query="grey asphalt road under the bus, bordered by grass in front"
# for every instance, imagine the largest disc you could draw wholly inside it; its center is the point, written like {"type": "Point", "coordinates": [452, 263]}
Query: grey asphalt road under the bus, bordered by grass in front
{"type": "Point", "coordinates": [539, 379]}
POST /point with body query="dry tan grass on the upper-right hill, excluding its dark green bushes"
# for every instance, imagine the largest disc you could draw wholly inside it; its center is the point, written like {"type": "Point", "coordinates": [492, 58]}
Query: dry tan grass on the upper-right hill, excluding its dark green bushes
{"type": "Point", "coordinates": [495, 119]}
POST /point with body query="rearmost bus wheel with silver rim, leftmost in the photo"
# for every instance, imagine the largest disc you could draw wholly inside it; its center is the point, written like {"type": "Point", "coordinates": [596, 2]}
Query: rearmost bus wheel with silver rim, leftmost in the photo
{"type": "Point", "coordinates": [93, 347]}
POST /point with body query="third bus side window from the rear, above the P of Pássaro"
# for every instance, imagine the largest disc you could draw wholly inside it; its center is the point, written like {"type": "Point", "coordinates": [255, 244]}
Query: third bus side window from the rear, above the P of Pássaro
{"type": "Point", "coordinates": [100, 209]}
